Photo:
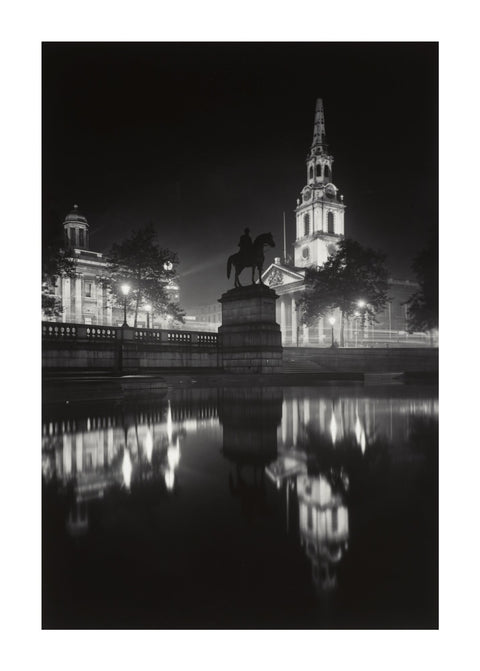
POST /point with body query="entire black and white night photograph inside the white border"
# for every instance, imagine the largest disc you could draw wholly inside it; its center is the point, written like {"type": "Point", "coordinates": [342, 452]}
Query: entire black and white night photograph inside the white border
{"type": "Point", "coordinates": [240, 336]}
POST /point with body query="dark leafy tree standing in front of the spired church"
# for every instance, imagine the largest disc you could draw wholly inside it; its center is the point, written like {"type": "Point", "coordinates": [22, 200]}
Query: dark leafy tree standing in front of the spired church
{"type": "Point", "coordinates": [352, 273]}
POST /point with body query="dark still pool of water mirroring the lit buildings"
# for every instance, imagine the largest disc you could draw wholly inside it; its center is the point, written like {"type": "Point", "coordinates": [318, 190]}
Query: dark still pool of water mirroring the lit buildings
{"type": "Point", "coordinates": [237, 507]}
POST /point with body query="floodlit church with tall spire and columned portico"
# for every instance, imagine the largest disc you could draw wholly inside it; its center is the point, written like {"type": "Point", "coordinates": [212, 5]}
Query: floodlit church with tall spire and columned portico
{"type": "Point", "coordinates": [320, 225]}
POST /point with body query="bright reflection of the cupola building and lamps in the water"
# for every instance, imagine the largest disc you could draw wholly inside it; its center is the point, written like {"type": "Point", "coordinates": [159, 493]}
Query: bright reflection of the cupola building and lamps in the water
{"type": "Point", "coordinates": [96, 453]}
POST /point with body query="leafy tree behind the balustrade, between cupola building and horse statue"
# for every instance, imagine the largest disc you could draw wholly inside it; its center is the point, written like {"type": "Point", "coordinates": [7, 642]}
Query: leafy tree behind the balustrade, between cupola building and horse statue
{"type": "Point", "coordinates": [148, 268]}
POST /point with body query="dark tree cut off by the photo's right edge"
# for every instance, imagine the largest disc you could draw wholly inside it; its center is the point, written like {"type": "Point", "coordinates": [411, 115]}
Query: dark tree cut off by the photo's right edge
{"type": "Point", "coordinates": [422, 306]}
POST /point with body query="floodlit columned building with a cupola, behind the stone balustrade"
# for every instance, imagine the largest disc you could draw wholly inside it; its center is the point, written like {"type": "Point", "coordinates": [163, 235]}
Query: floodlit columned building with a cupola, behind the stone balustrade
{"type": "Point", "coordinates": [85, 299]}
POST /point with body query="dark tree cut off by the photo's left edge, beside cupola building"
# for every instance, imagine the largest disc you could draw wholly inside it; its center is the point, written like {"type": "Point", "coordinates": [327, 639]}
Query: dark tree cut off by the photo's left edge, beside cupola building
{"type": "Point", "coordinates": [56, 262]}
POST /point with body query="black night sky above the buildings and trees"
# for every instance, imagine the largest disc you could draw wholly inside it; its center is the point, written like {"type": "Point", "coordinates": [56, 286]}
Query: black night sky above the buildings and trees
{"type": "Point", "coordinates": [204, 139]}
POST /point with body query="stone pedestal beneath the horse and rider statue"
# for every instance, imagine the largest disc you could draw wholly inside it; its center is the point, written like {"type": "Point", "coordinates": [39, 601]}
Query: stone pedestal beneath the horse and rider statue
{"type": "Point", "coordinates": [249, 334]}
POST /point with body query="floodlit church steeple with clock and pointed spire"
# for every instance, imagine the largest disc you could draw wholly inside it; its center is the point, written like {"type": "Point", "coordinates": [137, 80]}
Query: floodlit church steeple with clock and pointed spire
{"type": "Point", "coordinates": [320, 208]}
